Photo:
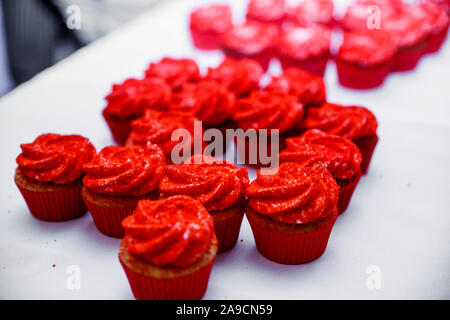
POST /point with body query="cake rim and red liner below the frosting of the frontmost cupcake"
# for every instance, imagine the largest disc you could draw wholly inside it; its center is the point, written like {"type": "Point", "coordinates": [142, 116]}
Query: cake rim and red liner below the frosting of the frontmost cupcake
{"type": "Point", "coordinates": [150, 282]}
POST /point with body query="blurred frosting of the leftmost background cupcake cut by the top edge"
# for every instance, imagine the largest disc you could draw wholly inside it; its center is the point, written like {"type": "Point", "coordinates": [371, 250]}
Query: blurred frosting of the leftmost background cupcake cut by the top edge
{"type": "Point", "coordinates": [266, 10]}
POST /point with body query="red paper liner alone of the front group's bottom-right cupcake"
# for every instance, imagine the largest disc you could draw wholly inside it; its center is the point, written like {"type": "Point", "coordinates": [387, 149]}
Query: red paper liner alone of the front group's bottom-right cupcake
{"type": "Point", "coordinates": [290, 248]}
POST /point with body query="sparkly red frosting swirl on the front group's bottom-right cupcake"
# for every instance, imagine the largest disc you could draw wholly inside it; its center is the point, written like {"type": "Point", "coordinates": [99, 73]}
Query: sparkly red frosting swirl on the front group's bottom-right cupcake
{"type": "Point", "coordinates": [294, 194]}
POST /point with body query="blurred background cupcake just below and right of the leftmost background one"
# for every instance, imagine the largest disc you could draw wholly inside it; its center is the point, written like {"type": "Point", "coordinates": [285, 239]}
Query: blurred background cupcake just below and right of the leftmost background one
{"type": "Point", "coordinates": [251, 40]}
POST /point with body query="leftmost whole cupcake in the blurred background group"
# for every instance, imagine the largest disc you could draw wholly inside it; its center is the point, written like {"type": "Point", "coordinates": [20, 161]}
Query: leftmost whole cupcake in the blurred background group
{"type": "Point", "coordinates": [207, 25]}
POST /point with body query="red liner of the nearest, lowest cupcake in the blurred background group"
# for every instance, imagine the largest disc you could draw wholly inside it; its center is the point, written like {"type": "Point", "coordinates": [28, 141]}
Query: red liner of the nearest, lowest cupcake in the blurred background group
{"type": "Point", "coordinates": [358, 77]}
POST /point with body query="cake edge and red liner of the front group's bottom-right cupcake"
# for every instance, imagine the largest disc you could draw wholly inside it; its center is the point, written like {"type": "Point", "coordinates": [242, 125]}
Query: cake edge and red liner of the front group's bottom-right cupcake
{"type": "Point", "coordinates": [288, 244]}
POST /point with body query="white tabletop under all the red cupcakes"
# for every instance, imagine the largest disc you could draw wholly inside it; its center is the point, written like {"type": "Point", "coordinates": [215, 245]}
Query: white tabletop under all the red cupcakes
{"type": "Point", "coordinates": [398, 220]}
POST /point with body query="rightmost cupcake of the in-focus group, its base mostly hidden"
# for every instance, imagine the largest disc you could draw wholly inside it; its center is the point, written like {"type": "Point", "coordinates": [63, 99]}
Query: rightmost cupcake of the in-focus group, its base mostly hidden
{"type": "Point", "coordinates": [354, 122]}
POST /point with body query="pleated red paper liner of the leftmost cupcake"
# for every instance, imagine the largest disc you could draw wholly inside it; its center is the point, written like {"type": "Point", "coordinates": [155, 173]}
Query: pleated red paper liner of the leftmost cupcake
{"type": "Point", "coordinates": [61, 205]}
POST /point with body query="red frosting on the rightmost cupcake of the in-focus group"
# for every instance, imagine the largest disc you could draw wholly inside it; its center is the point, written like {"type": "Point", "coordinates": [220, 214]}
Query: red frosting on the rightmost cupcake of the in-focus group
{"type": "Point", "coordinates": [349, 122]}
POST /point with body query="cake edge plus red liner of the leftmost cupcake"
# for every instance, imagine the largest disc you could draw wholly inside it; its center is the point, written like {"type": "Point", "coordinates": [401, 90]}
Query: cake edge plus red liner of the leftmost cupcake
{"type": "Point", "coordinates": [49, 201]}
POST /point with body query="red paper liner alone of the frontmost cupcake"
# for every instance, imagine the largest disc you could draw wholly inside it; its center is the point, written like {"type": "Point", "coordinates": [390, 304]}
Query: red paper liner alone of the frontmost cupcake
{"type": "Point", "coordinates": [188, 287]}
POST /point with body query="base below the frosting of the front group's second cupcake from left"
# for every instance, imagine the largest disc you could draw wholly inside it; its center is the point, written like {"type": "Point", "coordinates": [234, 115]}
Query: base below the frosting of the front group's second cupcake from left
{"type": "Point", "coordinates": [109, 211]}
